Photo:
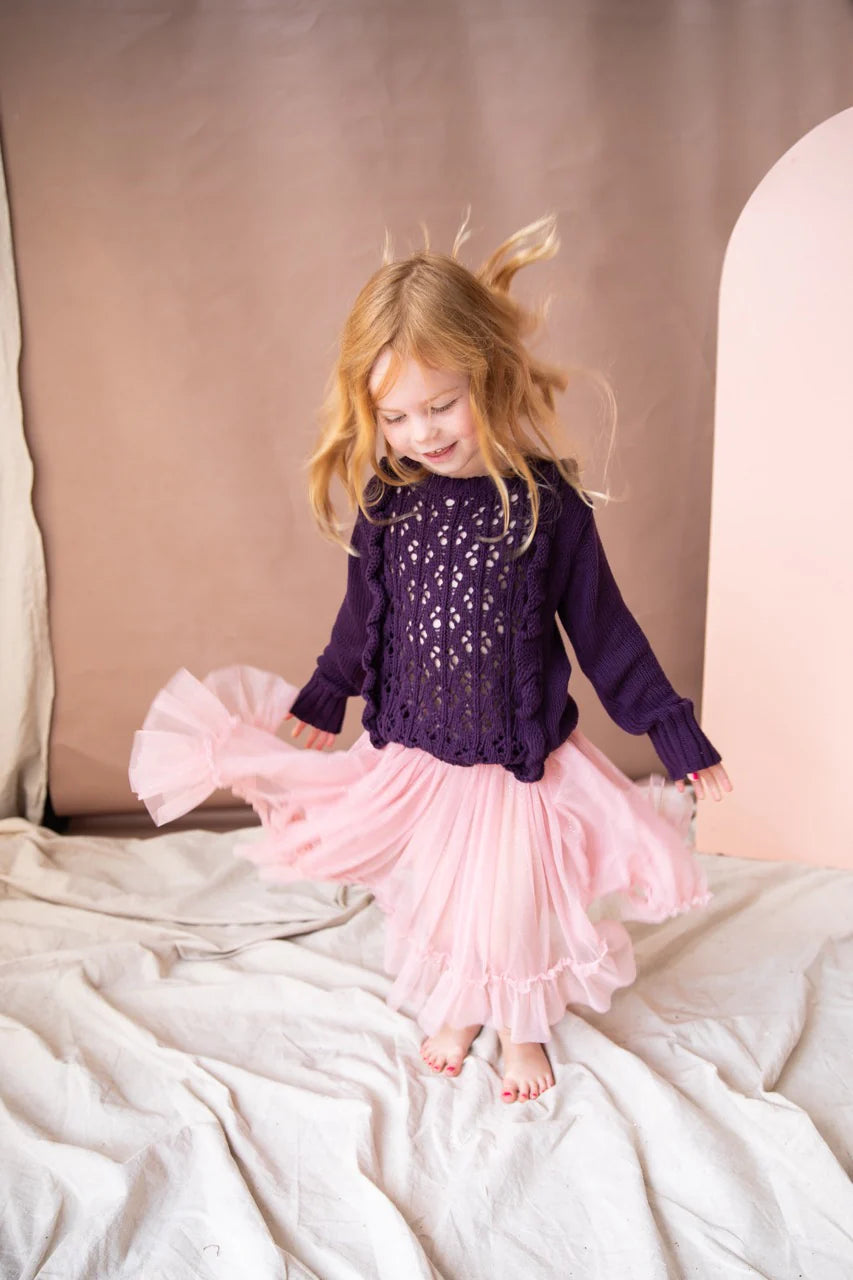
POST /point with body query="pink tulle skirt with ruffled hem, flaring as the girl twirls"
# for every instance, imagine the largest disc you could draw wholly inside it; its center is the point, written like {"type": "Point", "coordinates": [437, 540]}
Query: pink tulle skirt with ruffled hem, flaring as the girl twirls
{"type": "Point", "coordinates": [503, 899]}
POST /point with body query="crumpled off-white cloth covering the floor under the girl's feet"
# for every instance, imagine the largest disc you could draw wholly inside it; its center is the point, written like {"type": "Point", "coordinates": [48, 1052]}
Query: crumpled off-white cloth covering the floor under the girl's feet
{"type": "Point", "coordinates": [202, 1080]}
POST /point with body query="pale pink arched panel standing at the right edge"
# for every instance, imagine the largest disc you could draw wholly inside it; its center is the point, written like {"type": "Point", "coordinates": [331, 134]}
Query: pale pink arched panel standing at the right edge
{"type": "Point", "coordinates": [781, 589]}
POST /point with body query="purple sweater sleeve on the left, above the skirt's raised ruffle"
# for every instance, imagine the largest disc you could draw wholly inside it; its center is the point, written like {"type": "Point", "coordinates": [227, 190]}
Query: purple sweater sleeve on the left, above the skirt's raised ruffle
{"type": "Point", "coordinates": [340, 675]}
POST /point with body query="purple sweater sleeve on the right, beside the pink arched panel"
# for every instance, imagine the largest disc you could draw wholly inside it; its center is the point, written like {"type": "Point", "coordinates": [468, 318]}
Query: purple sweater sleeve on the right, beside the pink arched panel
{"type": "Point", "coordinates": [617, 657]}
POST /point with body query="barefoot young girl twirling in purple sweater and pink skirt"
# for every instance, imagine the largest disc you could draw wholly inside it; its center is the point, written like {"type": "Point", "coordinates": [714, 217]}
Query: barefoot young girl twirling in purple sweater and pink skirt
{"type": "Point", "coordinates": [489, 828]}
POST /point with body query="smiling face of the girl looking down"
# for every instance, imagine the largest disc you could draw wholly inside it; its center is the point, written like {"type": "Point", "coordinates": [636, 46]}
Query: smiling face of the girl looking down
{"type": "Point", "coordinates": [426, 415]}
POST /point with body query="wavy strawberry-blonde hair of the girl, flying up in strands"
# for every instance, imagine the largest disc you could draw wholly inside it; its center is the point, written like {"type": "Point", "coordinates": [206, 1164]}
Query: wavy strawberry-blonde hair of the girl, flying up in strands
{"type": "Point", "coordinates": [431, 309]}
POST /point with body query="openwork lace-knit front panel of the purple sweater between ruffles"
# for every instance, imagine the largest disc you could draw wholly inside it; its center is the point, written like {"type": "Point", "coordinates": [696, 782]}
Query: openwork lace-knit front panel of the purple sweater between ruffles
{"type": "Point", "coordinates": [451, 627]}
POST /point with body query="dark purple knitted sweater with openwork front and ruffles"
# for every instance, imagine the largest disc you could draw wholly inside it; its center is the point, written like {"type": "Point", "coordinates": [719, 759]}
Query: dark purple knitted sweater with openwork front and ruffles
{"type": "Point", "coordinates": [455, 647]}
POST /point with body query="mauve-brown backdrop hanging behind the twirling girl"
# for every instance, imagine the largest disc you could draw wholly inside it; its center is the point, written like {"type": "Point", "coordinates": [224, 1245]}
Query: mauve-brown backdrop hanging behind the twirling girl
{"type": "Point", "coordinates": [198, 194]}
